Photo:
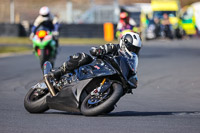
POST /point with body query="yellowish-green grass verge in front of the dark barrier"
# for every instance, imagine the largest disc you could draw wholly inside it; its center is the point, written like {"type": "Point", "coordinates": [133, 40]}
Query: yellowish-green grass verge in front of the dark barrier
{"type": "Point", "coordinates": [18, 44]}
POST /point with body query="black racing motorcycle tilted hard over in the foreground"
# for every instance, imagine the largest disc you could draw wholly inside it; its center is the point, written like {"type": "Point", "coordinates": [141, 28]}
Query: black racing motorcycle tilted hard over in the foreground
{"type": "Point", "coordinates": [92, 89]}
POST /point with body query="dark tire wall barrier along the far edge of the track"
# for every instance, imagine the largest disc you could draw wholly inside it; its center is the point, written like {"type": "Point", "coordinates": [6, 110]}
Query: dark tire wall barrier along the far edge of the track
{"type": "Point", "coordinates": [66, 30]}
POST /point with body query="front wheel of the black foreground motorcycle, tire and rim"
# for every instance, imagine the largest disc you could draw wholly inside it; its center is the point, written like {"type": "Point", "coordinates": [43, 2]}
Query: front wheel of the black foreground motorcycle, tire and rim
{"type": "Point", "coordinates": [93, 106]}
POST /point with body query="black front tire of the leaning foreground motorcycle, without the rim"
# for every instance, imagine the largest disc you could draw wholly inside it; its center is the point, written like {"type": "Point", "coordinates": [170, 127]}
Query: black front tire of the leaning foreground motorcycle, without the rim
{"type": "Point", "coordinates": [106, 106]}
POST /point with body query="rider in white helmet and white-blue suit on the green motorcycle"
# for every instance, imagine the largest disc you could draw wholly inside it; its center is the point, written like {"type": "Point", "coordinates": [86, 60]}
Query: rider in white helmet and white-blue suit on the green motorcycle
{"type": "Point", "coordinates": [46, 18]}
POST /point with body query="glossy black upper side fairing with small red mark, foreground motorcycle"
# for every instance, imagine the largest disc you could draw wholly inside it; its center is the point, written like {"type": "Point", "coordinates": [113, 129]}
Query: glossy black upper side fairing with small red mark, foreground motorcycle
{"type": "Point", "coordinates": [95, 69]}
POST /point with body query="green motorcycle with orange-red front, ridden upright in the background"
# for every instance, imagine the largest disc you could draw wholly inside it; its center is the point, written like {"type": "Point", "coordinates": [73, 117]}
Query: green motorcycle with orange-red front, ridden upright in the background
{"type": "Point", "coordinates": [44, 45]}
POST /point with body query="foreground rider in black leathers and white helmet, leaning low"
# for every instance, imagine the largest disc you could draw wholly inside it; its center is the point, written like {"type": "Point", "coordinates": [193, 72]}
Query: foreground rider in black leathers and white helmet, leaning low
{"type": "Point", "coordinates": [128, 47]}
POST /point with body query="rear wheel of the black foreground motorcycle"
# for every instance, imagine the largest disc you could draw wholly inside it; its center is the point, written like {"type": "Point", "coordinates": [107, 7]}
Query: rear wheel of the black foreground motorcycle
{"type": "Point", "coordinates": [35, 105]}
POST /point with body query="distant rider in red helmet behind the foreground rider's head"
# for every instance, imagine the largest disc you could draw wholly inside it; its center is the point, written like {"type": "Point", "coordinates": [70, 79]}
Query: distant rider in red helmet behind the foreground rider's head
{"type": "Point", "coordinates": [125, 23]}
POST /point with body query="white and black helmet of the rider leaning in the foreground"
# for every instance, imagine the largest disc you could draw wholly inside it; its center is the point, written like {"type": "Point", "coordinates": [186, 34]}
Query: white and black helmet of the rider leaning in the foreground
{"type": "Point", "coordinates": [130, 42]}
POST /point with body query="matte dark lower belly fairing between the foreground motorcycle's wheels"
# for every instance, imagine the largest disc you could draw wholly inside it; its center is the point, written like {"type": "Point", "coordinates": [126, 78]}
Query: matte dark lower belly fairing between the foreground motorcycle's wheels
{"type": "Point", "coordinates": [69, 97]}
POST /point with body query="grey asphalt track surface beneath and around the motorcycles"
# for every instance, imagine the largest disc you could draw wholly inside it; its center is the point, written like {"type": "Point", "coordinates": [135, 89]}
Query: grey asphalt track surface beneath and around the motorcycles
{"type": "Point", "coordinates": [167, 99]}
